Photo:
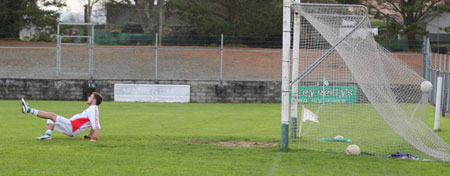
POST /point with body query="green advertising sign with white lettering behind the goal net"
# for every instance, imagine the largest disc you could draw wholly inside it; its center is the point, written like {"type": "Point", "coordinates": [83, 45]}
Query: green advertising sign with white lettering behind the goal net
{"type": "Point", "coordinates": [327, 94]}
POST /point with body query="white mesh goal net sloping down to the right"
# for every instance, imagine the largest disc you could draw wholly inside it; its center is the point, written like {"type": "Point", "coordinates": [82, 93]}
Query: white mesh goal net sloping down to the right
{"type": "Point", "coordinates": [358, 90]}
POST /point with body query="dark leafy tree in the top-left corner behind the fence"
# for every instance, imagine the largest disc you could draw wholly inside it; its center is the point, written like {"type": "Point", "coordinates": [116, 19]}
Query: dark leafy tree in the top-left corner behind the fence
{"type": "Point", "coordinates": [18, 14]}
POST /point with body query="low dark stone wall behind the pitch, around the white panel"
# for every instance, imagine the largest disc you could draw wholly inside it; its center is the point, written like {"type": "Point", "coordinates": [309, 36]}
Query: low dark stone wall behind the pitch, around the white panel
{"type": "Point", "coordinates": [201, 91]}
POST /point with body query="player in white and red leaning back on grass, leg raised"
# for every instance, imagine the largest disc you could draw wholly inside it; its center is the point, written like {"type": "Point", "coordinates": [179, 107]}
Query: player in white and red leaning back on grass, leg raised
{"type": "Point", "coordinates": [73, 126]}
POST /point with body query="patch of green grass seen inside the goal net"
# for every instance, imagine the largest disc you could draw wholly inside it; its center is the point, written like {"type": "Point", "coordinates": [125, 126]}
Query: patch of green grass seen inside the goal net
{"type": "Point", "coordinates": [366, 128]}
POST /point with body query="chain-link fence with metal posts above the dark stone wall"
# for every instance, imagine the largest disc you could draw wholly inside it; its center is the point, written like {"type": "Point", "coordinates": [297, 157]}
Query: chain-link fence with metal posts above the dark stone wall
{"type": "Point", "coordinates": [121, 56]}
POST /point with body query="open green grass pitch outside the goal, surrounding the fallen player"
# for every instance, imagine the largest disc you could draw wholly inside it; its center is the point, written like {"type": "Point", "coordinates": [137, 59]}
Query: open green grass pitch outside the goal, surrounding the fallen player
{"type": "Point", "coordinates": [156, 139]}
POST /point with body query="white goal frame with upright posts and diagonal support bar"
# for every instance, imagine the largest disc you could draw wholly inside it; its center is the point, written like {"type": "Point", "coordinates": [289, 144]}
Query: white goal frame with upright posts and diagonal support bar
{"type": "Point", "coordinates": [289, 81]}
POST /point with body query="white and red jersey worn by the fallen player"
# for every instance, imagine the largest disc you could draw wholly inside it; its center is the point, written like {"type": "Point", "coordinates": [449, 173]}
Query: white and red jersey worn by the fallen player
{"type": "Point", "coordinates": [82, 121]}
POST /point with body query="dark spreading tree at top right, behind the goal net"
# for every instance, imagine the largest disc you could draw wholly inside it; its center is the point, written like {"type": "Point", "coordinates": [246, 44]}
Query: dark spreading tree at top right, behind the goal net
{"type": "Point", "coordinates": [411, 13]}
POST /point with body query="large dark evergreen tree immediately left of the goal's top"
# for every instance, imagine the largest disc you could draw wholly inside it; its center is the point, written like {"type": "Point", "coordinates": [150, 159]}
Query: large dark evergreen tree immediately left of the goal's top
{"type": "Point", "coordinates": [231, 17]}
